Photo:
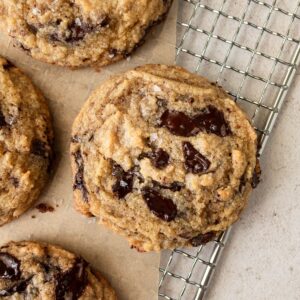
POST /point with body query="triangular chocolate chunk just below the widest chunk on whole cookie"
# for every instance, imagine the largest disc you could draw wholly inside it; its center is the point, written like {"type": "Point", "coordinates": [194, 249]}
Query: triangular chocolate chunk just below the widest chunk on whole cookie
{"type": "Point", "coordinates": [195, 162]}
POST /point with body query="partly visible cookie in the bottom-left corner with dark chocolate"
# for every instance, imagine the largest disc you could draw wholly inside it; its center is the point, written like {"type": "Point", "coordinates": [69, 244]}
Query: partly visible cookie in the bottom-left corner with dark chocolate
{"type": "Point", "coordinates": [30, 270]}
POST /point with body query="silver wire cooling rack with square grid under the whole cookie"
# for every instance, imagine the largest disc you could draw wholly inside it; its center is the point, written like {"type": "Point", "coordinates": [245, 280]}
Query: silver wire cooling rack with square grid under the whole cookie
{"type": "Point", "coordinates": [252, 49]}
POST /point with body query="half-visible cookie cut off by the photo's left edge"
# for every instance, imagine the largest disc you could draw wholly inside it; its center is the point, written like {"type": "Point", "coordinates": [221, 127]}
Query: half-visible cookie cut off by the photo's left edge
{"type": "Point", "coordinates": [25, 142]}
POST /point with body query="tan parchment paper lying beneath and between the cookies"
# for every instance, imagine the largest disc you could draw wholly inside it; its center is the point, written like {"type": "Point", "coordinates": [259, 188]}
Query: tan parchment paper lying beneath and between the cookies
{"type": "Point", "coordinates": [133, 275]}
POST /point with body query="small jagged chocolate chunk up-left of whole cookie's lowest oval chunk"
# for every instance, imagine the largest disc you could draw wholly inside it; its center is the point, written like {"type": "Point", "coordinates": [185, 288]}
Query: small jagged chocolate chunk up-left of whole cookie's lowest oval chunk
{"type": "Point", "coordinates": [124, 183]}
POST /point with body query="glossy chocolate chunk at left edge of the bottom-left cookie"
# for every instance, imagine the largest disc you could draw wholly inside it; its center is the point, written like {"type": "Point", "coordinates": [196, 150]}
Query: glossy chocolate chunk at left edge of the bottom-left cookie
{"type": "Point", "coordinates": [9, 267]}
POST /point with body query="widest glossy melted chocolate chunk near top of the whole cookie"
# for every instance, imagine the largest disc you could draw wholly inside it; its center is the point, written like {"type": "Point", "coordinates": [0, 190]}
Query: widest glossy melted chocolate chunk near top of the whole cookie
{"type": "Point", "coordinates": [210, 120]}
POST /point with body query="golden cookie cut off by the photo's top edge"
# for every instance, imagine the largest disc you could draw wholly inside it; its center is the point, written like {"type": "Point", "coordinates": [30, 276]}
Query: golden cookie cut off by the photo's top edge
{"type": "Point", "coordinates": [83, 32]}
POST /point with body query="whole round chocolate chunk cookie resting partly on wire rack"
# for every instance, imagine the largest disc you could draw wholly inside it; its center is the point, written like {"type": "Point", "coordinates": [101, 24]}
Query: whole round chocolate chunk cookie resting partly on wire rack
{"type": "Point", "coordinates": [163, 157]}
